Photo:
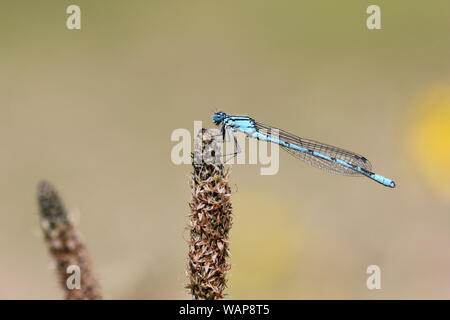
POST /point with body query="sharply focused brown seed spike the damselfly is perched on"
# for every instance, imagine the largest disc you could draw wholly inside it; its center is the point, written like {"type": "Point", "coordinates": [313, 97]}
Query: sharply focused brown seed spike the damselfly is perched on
{"type": "Point", "coordinates": [210, 221]}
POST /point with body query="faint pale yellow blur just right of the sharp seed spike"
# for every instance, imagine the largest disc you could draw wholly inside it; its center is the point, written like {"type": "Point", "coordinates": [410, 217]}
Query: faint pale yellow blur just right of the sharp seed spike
{"type": "Point", "coordinates": [265, 248]}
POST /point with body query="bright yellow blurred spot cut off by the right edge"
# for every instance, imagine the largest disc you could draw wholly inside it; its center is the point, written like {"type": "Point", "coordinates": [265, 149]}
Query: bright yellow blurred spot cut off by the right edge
{"type": "Point", "coordinates": [430, 139]}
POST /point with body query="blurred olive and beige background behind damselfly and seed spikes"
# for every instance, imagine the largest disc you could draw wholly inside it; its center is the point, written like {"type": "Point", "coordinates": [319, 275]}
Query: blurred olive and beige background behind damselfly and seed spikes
{"type": "Point", "coordinates": [92, 111]}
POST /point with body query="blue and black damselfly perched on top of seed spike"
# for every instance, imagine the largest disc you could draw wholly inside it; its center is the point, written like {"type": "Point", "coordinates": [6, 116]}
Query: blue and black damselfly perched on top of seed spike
{"type": "Point", "coordinates": [320, 155]}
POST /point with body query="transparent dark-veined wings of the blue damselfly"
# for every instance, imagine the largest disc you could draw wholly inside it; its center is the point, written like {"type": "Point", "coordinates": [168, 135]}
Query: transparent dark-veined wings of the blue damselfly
{"type": "Point", "coordinates": [335, 152]}
